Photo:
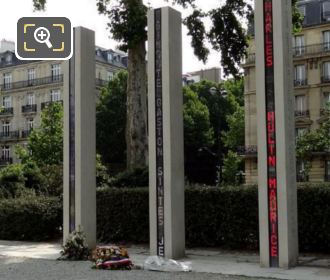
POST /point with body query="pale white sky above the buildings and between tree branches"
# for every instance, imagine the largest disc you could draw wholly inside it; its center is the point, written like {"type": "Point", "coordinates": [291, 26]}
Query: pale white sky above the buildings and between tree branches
{"type": "Point", "coordinates": [84, 13]}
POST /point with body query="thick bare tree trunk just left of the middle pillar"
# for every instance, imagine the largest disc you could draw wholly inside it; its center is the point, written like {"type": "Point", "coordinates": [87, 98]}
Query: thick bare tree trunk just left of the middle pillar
{"type": "Point", "coordinates": [136, 129]}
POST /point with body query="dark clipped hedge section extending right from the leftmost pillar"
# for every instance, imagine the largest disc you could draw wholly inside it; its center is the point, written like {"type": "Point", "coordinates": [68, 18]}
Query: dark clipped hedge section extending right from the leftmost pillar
{"type": "Point", "coordinates": [217, 217]}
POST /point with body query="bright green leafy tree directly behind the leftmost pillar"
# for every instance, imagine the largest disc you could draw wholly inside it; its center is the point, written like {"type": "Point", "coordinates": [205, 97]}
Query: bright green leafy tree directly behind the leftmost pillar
{"type": "Point", "coordinates": [42, 159]}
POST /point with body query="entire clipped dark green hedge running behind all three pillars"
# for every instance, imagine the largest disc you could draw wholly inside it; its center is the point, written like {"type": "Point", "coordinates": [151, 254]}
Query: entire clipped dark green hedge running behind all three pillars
{"type": "Point", "coordinates": [217, 217]}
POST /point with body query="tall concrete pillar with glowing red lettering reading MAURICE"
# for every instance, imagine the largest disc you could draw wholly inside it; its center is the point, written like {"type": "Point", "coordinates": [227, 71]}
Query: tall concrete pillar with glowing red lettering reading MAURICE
{"type": "Point", "coordinates": [276, 140]}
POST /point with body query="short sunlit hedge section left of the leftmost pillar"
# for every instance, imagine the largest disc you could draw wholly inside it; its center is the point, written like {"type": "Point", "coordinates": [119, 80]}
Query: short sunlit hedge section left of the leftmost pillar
{"type": "Point", "coordinates": [30, 218]}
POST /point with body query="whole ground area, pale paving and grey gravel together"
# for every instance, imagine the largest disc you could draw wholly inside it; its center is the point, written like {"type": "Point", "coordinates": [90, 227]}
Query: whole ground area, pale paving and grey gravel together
{"type": "Point", "coordinates": [34, 261]}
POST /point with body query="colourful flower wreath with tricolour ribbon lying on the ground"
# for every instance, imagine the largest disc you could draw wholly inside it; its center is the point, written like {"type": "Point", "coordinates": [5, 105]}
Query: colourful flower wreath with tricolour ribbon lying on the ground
{"type": "Point", "coordinates": [111, 258]}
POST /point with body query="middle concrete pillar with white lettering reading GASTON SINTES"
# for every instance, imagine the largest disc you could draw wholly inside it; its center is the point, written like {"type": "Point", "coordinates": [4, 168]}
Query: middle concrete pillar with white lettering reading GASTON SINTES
{"type": "Point", "coordinates": [166, 159]}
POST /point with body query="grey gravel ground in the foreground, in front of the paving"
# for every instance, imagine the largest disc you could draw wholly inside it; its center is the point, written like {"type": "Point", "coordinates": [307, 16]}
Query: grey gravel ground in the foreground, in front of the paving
{"type": "Point", "coordinates": [33, 269]}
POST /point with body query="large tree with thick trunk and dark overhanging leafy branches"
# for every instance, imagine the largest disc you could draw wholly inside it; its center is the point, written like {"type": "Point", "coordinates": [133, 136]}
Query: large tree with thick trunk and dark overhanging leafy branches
{"type": "Point", "coordinates": [127, 24]}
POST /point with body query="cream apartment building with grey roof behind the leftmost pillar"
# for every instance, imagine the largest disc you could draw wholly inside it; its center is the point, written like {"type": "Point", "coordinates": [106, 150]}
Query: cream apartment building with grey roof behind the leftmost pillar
{"type": "Point", "coordinates": [26, 87]}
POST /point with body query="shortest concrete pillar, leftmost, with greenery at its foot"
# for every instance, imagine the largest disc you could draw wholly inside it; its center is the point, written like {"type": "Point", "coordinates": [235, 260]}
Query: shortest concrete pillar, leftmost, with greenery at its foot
{"type": "Point", "coordinates": [79, 173]}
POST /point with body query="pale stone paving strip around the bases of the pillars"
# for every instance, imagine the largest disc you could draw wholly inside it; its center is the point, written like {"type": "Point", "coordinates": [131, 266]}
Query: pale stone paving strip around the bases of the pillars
{"type": "Point", "coordinates": [203, 261]}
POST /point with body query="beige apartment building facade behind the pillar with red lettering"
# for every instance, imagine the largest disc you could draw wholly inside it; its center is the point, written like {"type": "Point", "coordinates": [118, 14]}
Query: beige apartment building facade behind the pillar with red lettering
{"type": "Point", "coordinates": [311, 57]}
